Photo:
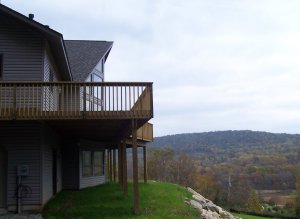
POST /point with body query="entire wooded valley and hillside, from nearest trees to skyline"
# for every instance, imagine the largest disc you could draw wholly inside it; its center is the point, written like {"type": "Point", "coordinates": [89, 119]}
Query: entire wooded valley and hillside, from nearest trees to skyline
{"type": "Point", "coordinates": [243, 170]}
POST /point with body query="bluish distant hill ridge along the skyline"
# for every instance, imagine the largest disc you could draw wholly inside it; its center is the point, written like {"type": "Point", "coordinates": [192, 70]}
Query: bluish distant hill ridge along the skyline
{"type": "Point", "coordinates": [193, 142]}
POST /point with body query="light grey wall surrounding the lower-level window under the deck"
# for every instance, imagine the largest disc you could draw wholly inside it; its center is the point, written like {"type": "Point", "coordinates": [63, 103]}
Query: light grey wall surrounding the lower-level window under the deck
{"type": "Point", "coordinates": [93, 180]}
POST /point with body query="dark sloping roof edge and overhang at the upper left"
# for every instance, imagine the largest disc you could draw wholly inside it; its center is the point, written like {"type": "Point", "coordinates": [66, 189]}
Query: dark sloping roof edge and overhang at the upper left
{"type": "Point", "coordinates": [54, 38]}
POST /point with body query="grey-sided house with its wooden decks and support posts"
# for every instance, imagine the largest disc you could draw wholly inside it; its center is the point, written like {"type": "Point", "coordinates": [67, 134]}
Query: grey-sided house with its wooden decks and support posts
{"type": "Point", "coordinates": [61, 126]}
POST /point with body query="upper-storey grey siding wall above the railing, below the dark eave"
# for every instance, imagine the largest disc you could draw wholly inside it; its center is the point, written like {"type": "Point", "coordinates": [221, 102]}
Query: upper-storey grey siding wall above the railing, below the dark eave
{"type": "Point", "coordinates": [22, 50]}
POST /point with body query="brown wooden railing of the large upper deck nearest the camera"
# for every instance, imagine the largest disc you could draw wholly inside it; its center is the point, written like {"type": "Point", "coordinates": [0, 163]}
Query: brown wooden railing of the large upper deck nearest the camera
{"type": "Point", "coordinates": [74, 100]}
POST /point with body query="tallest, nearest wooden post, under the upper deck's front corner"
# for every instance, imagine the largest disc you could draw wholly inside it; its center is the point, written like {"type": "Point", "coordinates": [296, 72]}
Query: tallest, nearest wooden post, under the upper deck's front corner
{"type": "Point", "coordinates": [135, 168]}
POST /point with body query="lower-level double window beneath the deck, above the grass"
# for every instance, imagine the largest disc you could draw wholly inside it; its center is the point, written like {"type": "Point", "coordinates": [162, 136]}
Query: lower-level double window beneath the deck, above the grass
{"type": "Point", "coordinates": [92, 163]}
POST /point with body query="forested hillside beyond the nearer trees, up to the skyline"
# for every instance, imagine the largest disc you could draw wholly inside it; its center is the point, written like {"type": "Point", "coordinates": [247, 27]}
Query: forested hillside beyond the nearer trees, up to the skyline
{"type": "Point", "coordinates": [265, 160]}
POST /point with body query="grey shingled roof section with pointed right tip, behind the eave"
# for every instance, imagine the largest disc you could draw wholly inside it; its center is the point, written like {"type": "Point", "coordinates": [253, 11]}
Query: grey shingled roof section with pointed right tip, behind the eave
{"type": "Point", "coordinates": [84, 55]}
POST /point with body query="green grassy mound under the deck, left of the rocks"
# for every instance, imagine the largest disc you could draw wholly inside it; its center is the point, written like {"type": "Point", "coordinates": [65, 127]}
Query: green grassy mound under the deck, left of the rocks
{"type": "Point", "coordinates": [157, 200]}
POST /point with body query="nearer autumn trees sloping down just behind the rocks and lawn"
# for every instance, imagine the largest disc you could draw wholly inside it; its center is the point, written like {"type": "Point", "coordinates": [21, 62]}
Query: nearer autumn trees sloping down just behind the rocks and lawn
{"type": "Point", "coordinates": [166, 164]}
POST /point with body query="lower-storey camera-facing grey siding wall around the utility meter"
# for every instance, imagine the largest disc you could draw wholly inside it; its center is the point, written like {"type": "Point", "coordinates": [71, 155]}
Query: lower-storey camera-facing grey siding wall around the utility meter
{"type": "Point", "coordinates": [22, 142]}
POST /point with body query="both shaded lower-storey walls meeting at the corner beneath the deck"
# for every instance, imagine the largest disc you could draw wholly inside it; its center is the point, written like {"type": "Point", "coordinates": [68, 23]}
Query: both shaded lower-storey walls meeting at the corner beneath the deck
{"type": "Point", "coordinates": [31, 144]}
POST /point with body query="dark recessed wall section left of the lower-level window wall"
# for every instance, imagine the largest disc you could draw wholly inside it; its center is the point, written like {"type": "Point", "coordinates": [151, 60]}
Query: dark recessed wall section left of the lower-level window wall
{"type": "Point", "coordinates": [70, 166]}
